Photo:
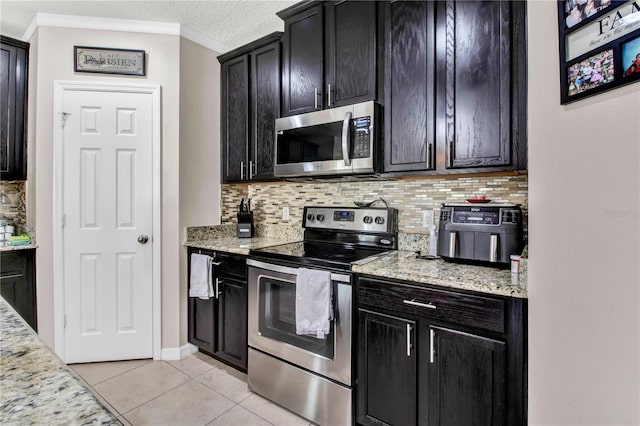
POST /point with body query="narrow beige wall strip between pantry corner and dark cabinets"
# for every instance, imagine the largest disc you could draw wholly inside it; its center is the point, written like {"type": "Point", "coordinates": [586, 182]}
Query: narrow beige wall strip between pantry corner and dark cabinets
{"type": "Point", "coordinates": [199, 150]}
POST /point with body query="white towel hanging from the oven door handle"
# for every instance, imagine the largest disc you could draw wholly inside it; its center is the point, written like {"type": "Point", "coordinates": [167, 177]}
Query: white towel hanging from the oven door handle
{"type": "Point", "coordinates": [313, 302]}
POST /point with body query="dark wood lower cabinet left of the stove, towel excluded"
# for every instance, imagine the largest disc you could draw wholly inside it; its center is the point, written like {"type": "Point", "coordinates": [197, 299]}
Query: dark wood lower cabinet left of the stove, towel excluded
{"type": "Point", "coordinates": [218, 325]}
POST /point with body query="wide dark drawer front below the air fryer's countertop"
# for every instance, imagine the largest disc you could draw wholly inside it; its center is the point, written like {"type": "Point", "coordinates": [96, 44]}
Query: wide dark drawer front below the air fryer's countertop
{"type": "Point", "coordinates": [459, 308]}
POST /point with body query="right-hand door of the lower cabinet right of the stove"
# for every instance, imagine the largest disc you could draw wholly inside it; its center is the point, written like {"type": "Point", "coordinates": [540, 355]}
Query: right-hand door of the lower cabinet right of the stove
{"type": "Point", "coordinates": [466, 379]}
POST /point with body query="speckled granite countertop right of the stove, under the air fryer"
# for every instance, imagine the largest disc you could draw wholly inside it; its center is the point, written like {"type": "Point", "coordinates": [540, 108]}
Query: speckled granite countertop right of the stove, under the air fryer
{"type": "Point", "coordinates": [403, 265]}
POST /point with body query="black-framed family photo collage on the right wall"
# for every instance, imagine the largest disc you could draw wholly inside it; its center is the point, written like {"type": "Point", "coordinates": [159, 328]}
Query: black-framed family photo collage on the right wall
{"type": "Point", "coordinates": [599, 43]}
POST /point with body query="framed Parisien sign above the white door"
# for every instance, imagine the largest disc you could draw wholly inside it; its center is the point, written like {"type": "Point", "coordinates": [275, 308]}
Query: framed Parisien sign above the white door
{"type": "Point", "coordinates": [109, 61]}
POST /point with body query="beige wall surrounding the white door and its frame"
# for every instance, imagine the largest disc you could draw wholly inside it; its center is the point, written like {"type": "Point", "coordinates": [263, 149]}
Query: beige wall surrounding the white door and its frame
{"type": "Point", "coordinates": [52, 59]}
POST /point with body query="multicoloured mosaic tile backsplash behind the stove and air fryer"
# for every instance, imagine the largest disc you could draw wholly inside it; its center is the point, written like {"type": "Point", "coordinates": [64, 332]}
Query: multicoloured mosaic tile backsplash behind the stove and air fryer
{"type": "Point", "coordinates": [409, 195]}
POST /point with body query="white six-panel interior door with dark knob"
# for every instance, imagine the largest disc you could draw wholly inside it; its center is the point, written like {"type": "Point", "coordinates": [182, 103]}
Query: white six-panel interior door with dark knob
{"type": "Point", "coordinates": [107, 213]}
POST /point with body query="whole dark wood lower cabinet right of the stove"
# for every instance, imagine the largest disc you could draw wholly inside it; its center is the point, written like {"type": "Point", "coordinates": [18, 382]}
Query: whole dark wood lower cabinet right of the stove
{"type": "Point", "coordinates": [416, 366]}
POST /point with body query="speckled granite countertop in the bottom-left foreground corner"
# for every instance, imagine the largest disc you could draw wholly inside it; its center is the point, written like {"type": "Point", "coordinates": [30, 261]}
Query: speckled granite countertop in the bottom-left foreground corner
{"type": "Point", "coordinates": [37, 387]}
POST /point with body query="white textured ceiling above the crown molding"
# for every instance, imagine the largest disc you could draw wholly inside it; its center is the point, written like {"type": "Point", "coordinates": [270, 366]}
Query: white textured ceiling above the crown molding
{"type": "Point", "coordinates": [231, 23]}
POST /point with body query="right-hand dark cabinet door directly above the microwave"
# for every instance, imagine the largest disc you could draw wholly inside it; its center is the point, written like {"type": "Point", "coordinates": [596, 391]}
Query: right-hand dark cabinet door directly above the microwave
{"type": "Point", "coordinates": [350, 52]}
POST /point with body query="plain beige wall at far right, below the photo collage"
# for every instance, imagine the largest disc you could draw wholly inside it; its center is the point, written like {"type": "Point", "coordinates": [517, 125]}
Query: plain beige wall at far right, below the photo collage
{"type": "Point", "coordinates": [584, 300]}
